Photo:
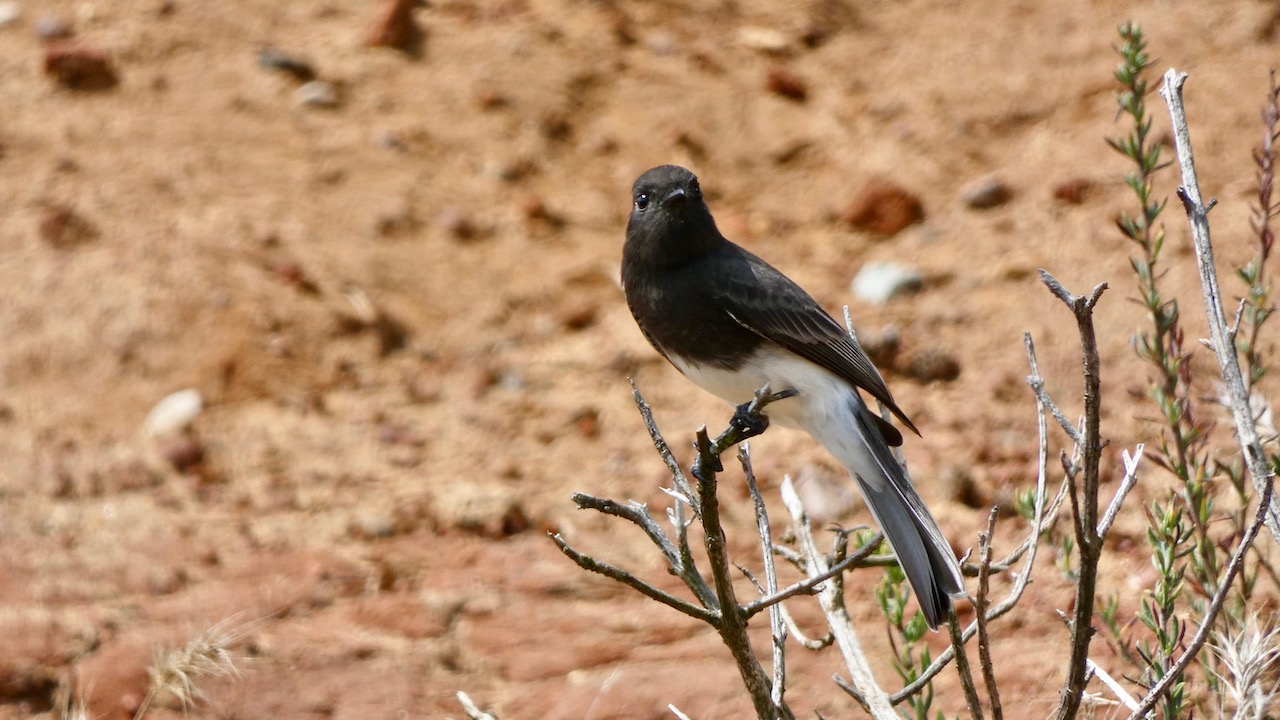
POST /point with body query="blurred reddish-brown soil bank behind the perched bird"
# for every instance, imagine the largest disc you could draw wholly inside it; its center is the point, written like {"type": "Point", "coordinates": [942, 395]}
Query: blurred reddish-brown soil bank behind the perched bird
{"type": "Point", "coordinates": [374, 491]}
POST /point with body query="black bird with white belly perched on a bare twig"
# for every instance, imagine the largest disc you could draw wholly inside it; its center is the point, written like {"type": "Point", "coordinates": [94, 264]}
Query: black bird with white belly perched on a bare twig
{"type": "Point", "coordinates": [732, 323]}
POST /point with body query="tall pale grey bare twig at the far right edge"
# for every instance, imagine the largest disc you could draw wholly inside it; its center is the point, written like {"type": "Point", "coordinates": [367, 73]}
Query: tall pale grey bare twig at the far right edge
{"type": "Point", "coordinates": [1197, 215]}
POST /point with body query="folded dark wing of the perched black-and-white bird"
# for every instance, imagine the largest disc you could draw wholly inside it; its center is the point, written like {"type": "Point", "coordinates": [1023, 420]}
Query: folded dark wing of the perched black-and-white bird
{"type": "Point", "coordinates": [792, 318]}
